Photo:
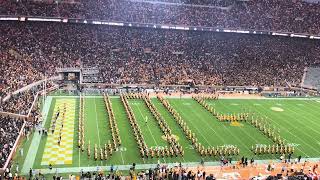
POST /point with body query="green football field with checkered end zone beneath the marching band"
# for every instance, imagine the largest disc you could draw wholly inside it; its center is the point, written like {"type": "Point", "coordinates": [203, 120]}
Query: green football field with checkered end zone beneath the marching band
{"type": "Point", "coordinates": [298, 121]}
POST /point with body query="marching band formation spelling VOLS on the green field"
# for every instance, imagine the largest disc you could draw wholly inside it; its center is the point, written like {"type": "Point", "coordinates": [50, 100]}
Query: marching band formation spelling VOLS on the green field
{"type": "Point", "coordinates": [175, 149]}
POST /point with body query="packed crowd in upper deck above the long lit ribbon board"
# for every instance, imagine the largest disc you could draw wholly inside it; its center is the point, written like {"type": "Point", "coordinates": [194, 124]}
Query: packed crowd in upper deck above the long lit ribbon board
{"type": "Point", "coordinates": [287, 15]}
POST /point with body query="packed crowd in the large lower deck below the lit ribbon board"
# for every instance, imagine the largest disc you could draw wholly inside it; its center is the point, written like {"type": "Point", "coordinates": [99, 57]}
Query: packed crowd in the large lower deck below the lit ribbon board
{"type": "Point", "coordinates": [142, 55]}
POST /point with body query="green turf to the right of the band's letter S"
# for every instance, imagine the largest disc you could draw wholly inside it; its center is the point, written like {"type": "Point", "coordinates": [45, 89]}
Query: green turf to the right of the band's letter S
{"type": "Point", "coordinates": [298, 122]}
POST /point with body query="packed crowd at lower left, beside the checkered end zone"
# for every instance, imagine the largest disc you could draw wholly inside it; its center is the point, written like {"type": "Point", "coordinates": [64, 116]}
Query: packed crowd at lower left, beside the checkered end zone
{"type": "Point", "coordinates": [9, 131]}
